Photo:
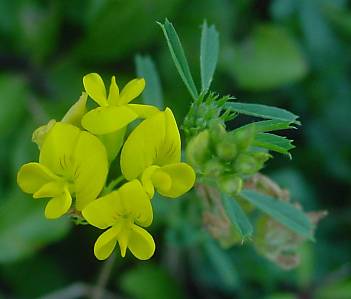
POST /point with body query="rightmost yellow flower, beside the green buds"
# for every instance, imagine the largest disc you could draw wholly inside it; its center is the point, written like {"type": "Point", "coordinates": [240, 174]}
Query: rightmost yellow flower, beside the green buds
{"type": "Point", "coordinates": [152, 154]}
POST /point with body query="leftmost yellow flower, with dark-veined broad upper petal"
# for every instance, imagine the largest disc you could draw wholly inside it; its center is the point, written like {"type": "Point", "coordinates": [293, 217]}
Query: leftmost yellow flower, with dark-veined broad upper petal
{"type": "Point", "coordinates": [71, 162]}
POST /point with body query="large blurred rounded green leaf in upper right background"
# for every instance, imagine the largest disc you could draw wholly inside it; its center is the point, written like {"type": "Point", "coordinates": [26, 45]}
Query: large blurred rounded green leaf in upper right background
{"type": "Point", "coordinates": [268, 59]}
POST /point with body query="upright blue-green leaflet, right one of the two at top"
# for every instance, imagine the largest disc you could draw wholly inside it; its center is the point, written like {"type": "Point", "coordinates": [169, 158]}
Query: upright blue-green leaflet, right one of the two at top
{"type": "Point", "coordinates": [208, 55]}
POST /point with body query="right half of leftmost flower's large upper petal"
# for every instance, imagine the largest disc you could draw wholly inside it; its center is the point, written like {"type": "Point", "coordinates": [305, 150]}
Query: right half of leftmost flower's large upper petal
{"type": "Point", "coordinates": [91, 167]}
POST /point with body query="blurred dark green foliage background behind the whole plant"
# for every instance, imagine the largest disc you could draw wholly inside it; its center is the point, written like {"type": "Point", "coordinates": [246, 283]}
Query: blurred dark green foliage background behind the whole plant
{"type": "Point", "coordinates": [294, 54]}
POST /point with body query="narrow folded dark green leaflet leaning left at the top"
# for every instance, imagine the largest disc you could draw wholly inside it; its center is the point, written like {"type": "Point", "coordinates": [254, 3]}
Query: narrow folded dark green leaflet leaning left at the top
{"type": "Point", "coordinates": [178, 55]}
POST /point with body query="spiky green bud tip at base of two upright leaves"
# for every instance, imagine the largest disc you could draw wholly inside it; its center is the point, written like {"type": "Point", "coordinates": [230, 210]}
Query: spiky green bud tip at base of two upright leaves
{"type": "Point", "coordinates": [206, 109]}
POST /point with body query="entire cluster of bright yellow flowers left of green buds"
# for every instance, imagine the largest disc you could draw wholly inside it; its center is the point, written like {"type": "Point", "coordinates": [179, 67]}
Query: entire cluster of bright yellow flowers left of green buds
{"type": "Point", "coordinates": [77, 153]}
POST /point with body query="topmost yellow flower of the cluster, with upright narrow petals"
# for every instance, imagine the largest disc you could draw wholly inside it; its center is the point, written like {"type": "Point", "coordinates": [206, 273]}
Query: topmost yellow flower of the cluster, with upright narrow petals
{"type": "Point", "coordinates": [114, 112]}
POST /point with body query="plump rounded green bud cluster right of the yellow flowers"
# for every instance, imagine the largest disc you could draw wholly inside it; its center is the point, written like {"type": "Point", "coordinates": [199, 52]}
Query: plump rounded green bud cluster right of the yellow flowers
{"type": "Point", "coordinates": [226, 158]}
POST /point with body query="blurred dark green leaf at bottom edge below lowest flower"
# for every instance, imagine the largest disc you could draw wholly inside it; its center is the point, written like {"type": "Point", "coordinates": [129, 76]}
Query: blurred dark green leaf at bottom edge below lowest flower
{"type": "Point", "coordinates": [149, 281]}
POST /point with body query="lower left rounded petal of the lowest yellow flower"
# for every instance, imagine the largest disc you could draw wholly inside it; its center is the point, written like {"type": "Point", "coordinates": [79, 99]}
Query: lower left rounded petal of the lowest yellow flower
{"type": "Point", "coordinates": [105, 244]}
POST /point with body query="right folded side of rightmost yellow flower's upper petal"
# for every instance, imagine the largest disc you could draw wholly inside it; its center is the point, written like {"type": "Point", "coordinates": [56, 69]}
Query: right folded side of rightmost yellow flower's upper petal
{"type": "Point", "coordinates": [170, 149]}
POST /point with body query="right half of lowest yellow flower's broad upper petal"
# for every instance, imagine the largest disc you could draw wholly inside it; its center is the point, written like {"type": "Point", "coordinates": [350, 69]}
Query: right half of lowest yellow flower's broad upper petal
{"type": "Point", "coordinates": [136, 203]}
